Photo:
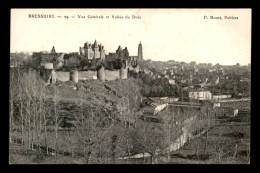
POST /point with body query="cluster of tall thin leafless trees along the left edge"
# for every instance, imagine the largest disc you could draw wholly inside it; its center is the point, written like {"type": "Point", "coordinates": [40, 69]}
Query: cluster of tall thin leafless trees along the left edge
{"type": "Point", "coordinates": [31, 111]}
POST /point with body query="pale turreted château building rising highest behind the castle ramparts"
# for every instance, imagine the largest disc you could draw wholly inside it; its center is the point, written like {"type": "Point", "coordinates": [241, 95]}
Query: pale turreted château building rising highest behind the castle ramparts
{"type": "Point", "coordinates": [92, 51]}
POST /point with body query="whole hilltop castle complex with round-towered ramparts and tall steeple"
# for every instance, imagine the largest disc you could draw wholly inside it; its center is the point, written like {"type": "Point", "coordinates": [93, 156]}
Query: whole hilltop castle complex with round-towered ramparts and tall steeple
{"type": "Point", "coordinates": [107, 67]}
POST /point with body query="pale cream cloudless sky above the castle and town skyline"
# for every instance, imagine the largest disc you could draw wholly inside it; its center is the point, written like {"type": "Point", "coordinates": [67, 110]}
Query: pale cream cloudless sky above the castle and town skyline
{"type": "Point", "coordinates": [166, 34]}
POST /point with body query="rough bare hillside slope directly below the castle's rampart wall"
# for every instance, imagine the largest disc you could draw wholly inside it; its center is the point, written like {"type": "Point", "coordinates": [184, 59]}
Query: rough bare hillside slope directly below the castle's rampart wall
{"type": "Point", "coordinates": [109, 96]}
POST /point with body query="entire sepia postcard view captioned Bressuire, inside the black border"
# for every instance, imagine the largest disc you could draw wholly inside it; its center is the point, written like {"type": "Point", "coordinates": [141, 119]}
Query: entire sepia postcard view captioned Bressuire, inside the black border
{"type": "Point", "coordinates": [130, 86]}
